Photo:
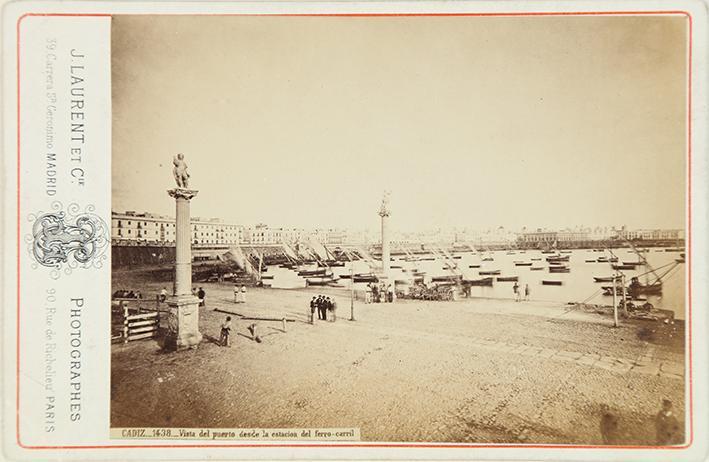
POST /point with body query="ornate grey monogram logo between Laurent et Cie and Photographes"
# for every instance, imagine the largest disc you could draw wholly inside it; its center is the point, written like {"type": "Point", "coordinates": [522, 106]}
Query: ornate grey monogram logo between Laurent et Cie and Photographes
{"type": "Point", "coordinates": [72, 239]}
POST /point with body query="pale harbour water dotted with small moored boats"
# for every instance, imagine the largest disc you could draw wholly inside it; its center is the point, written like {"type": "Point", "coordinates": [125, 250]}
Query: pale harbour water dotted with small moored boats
{"type": "Point", "coordinates": [577, 286]}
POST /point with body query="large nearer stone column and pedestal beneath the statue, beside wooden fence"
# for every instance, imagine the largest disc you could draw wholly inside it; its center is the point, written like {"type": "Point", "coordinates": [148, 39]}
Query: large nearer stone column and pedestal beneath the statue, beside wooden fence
{"type": "Point", "coordinates": [183, 321]}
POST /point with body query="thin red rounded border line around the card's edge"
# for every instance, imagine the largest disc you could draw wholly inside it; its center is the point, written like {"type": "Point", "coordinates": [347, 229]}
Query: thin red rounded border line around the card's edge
{"type": "Point", "coordinates": [373, 444]}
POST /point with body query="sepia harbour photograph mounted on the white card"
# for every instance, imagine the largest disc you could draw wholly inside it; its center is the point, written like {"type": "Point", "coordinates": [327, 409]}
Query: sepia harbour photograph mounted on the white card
{"type": "Point", "coordinates": [408, 229]}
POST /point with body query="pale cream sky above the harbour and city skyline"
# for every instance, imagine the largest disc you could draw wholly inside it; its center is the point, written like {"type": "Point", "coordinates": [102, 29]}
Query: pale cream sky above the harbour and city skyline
{"type": "Point", "coordinates": [479, 122]}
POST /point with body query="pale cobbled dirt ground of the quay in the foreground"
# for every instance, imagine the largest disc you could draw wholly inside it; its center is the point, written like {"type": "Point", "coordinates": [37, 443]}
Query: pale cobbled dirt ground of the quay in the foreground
{"type": "Point", "coordinates": [490, 371]}
